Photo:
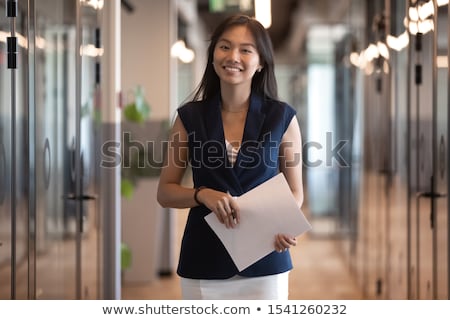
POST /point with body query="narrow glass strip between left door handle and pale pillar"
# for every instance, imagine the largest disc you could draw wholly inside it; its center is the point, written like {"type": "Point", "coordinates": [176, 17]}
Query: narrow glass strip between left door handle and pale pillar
{"type": "Point", "coordinates": [90, 145]}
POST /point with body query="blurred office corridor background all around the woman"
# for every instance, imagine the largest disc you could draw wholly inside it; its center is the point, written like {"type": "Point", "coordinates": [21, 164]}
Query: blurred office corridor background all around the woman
{"type": "Point", "coordinates": [89, 87]}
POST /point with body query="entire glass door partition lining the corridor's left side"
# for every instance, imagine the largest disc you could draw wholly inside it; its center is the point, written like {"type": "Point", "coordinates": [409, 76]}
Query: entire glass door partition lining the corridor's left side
{"type": "Point", "coordinates": [50, 146]}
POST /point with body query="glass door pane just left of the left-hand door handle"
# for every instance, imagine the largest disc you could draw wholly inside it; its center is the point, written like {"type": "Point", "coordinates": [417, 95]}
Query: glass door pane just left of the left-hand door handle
{"type": "Point", "coordinates": [55, 154]}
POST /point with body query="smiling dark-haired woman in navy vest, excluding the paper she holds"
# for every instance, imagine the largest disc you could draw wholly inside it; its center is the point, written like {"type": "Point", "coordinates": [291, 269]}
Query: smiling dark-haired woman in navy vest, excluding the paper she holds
{"type": "Point", "coordinates": [235, 134]}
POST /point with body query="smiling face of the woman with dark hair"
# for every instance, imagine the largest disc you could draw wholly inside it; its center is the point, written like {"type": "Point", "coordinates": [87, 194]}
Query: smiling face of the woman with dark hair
{"type": "Point", "coordinates": [236, 58]}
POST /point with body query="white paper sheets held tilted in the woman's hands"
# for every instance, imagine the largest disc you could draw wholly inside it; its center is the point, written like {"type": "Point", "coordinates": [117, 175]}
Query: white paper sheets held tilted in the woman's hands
{"type": "Point", "coordinates": [265, 211]}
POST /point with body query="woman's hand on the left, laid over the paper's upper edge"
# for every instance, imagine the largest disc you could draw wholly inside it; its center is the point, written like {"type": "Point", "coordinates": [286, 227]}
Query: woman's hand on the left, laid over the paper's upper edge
{"type": "Point", "coordinates": [222, 204]}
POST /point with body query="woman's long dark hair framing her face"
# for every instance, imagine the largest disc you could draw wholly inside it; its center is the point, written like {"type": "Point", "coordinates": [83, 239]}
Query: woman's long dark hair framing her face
{"type": "Point", "coordinates": [263, 83]}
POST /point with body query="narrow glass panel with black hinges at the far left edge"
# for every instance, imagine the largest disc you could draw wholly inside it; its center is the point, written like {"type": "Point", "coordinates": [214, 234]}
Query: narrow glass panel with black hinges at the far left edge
{"type": "Point", "coordinates": [14, 165]}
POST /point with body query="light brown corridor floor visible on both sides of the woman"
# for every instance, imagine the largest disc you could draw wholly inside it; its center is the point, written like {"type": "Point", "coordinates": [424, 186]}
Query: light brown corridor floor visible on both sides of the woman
{"type": "Point", "coordinates": [319, 274]}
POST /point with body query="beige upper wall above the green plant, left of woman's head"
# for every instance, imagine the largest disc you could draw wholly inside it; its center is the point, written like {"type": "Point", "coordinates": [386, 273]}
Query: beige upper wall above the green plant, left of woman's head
{"type": "Point", "coordinates": [147, 35]}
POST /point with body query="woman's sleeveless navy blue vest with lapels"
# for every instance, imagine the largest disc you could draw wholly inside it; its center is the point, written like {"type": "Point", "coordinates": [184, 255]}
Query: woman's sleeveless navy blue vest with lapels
{"type": "Point", "coordinates": [202, 254]}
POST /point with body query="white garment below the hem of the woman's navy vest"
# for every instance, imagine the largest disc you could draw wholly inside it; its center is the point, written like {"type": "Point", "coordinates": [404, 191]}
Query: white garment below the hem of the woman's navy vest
{"type": "Point", "coordinates": [273, 287]}
